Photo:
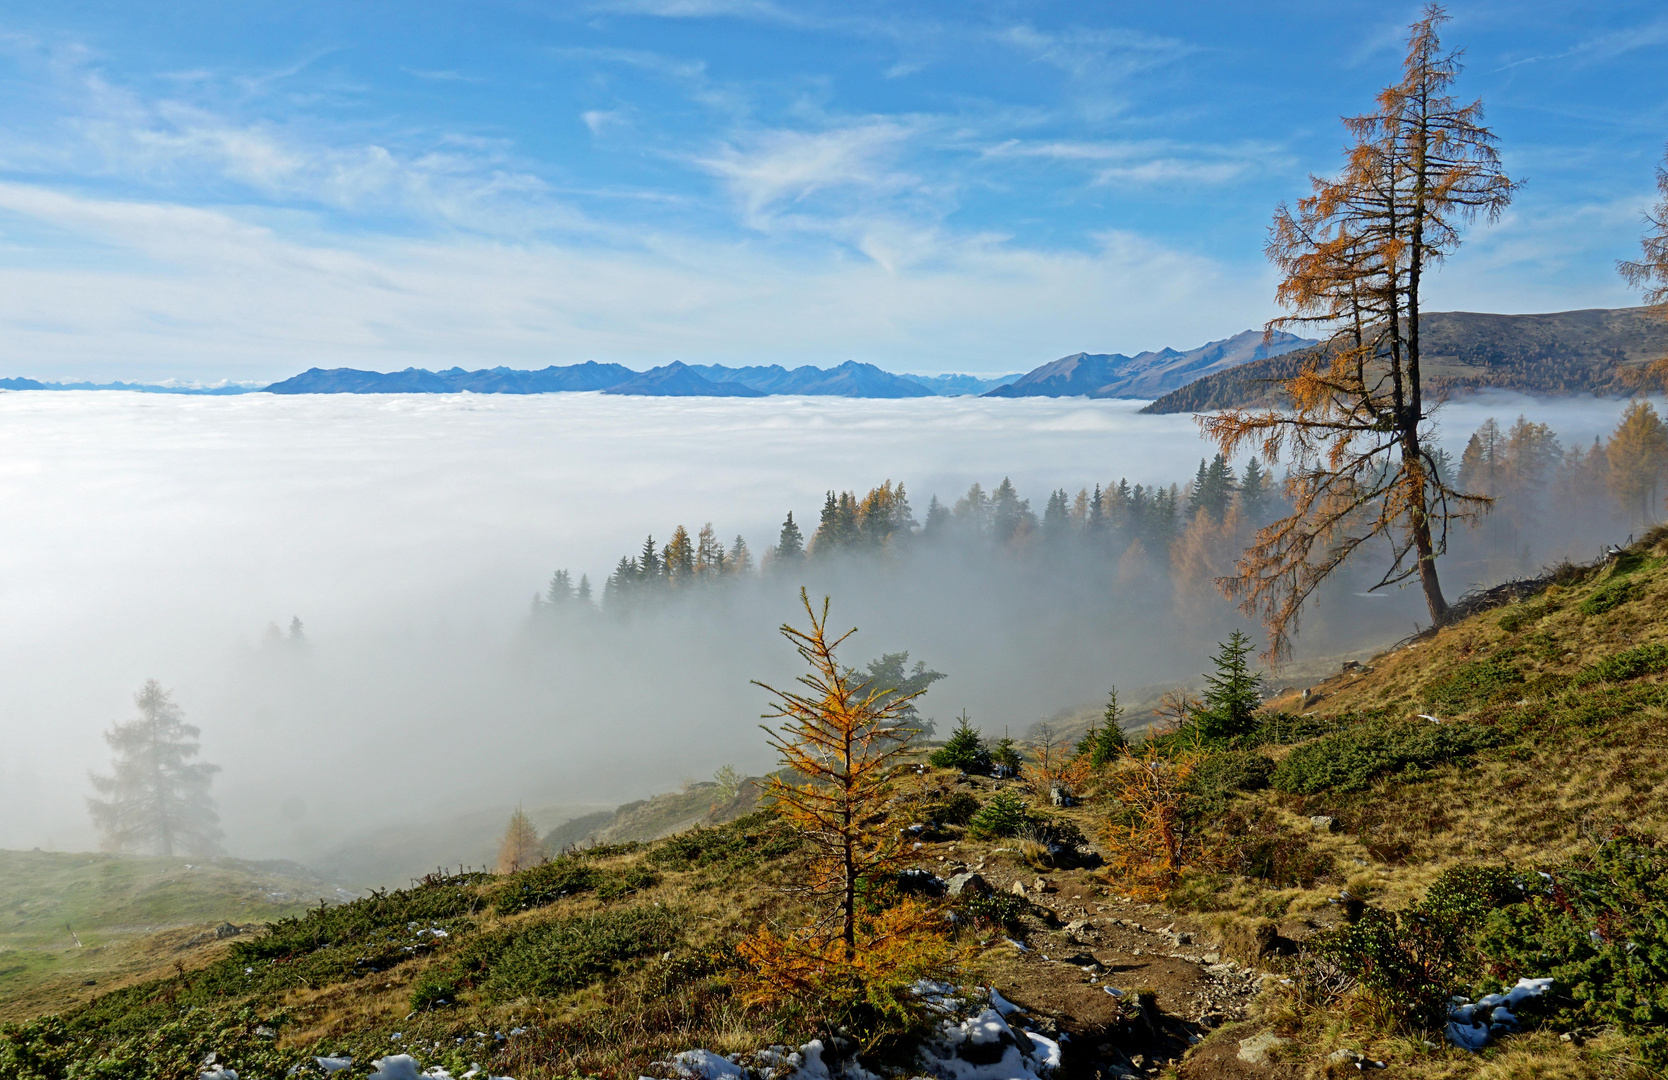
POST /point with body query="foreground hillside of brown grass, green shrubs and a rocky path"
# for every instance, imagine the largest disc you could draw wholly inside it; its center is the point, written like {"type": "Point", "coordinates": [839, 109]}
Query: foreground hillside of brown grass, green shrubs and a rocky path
{"type": "Point", "coordinates": [1472, 809]}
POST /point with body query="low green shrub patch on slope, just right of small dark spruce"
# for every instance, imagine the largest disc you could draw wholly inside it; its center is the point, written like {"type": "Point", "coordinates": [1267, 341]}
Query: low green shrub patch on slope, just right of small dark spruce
{"type": "Point", "coordinates": [1354, 759]}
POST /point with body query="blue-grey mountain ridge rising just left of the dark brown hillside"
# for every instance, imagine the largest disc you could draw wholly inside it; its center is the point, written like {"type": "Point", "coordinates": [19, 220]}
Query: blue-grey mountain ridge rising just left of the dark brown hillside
{"type": "Point", "coordinates": [1147, 375]}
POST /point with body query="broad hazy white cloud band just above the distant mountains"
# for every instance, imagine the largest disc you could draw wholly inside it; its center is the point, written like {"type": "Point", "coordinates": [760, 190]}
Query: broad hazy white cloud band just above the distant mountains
{"type": "Point", "coordinates": [181, 291]}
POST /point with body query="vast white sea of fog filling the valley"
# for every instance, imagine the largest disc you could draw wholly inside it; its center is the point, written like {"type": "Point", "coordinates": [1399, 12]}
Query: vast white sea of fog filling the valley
{"type": "Point", "coordinates": [159, 537]}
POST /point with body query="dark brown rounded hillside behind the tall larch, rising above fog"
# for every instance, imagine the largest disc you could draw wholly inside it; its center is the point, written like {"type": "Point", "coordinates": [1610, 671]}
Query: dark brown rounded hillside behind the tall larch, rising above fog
{"type": "Point", "coordinates": [1555, 355]}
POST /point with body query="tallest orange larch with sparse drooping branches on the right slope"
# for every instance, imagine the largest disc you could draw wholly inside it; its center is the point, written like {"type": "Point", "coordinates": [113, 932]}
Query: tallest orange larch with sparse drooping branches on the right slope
{"type": "Point", "coordinates": [1354, 260]}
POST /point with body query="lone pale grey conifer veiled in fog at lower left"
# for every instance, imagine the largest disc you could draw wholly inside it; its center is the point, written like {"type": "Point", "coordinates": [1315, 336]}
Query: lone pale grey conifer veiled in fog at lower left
{"type": "Point", "coordinates": [156, 800]}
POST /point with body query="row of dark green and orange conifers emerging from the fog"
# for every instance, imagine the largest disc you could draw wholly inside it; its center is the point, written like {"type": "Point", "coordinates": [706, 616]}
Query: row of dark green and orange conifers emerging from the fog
{"type": "Point", "coordinates": [1549, 502]}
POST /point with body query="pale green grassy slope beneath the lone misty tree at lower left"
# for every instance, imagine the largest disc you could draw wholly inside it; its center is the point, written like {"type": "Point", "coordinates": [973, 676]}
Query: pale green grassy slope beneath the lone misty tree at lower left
{"type": "Point", "coordinates": [114, 906]}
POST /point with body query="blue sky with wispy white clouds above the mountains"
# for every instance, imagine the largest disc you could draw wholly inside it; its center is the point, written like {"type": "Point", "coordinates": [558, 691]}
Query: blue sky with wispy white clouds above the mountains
{"type": "Point", "coordinates": [241, 191]}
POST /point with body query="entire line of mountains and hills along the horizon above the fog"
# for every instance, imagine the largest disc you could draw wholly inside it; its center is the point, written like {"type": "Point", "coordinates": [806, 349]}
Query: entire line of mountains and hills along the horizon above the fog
{"type": "Point", "coordinates": [1560, 353]}
